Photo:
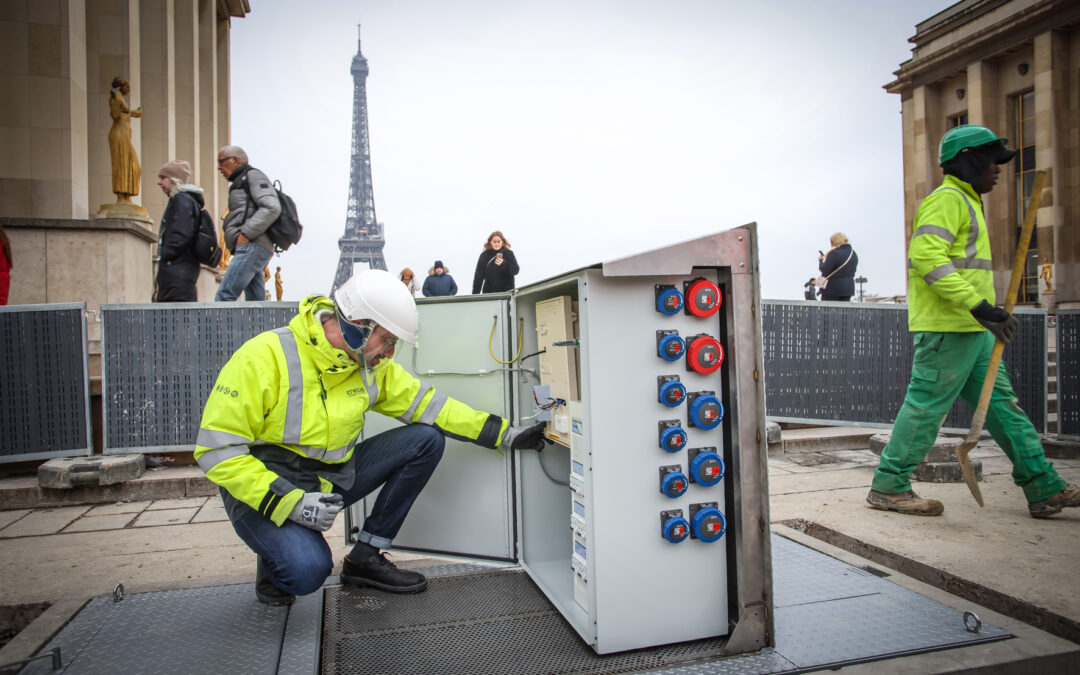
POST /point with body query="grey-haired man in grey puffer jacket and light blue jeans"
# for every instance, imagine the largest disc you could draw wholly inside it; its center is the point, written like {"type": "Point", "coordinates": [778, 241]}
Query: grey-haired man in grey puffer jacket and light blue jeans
{"type": "Point", "coordinates": [253, 208]}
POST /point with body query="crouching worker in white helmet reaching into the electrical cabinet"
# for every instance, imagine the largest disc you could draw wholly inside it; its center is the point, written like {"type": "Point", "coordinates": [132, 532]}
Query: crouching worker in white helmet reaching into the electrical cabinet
{"type": "Point", "coordinates": [280, 436]}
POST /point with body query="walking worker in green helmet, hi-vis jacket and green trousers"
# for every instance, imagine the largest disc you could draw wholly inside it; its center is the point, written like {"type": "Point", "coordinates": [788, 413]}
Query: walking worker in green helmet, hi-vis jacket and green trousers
{"type": "Point", "coordinates": [955, 322]}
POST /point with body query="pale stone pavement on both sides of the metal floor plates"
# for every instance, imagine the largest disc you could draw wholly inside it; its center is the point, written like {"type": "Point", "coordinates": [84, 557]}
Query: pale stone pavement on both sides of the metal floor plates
{"type": "Point", "coordinates": [997, 558]}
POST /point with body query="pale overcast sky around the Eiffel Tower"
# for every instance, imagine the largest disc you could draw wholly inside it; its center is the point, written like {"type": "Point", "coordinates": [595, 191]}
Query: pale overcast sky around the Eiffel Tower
{"type": "Point", "coordinates": [585, 130]}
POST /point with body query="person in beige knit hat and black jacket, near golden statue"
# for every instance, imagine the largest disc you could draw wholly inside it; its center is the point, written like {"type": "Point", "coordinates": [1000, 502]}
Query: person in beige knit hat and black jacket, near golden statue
{"type": "Point", "coordinates": [178, 261]}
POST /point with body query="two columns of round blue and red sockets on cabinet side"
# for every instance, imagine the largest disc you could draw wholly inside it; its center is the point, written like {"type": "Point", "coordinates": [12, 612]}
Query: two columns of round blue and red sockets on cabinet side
{"type": "Point", "coordinates": [704, 356]}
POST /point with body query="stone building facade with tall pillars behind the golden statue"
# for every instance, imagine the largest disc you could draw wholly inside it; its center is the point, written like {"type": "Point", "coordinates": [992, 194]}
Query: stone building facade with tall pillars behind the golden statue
{"type": "Point", "coordinates": [58, 61]}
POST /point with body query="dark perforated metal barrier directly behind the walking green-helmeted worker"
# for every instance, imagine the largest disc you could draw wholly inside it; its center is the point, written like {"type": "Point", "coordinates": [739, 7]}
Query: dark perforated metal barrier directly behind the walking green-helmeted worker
{"type": "Point", "coordinates": [843, 363]}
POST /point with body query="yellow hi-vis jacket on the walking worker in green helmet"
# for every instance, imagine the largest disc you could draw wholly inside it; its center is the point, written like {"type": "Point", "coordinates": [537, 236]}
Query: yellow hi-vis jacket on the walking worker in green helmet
{"type": "Point", "coordinates": [949, 265]}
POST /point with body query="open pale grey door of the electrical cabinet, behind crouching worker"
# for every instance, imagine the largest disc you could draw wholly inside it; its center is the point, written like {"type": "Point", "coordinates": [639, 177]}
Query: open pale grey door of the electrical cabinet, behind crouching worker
{"type": "Point", "coordinates": [468, 507]}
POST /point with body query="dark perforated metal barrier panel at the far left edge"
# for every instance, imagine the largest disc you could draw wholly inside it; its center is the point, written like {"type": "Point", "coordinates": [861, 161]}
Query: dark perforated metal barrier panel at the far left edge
{"type": "Point", "coordinates": [45, 383]}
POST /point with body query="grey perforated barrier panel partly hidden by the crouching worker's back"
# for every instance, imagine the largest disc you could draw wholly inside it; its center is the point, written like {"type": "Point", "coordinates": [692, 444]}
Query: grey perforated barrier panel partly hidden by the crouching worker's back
{"type": "Point", "coordinates": [159, 363]}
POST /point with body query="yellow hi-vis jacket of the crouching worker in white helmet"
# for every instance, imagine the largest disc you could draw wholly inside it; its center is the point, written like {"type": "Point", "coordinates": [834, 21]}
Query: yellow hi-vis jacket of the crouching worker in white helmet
{"type": "Point", "coordinates": [287, 411]}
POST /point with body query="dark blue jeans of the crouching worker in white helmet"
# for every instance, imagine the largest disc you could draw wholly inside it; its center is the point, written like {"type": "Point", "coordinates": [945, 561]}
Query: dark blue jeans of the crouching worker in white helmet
{"type": "Point", "coordinates": [299, 560]}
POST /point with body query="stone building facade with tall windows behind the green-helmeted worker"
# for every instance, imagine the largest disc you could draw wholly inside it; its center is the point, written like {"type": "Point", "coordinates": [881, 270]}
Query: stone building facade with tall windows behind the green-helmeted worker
{"type": "Point", "coordinates": [1012, 66]}
